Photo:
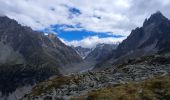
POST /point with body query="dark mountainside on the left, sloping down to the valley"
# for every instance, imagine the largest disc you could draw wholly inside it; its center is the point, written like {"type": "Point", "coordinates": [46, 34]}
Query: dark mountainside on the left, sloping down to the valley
{"type": "Point", "coordinates": [27, 56]}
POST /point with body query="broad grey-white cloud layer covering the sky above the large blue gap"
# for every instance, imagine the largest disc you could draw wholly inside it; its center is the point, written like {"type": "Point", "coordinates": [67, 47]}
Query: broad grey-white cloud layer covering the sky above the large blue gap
{"type": "Point", "coordinates": [117, 16]}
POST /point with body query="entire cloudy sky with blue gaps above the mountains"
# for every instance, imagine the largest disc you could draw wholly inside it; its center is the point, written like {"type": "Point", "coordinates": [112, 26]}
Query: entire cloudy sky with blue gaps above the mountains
{"type": "Point", "coordinates": [84, 22]}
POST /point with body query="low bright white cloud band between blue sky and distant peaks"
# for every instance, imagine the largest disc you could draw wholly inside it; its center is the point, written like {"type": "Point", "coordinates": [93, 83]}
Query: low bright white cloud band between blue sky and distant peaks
{"type": "Point", "coordinates": [92, 41]}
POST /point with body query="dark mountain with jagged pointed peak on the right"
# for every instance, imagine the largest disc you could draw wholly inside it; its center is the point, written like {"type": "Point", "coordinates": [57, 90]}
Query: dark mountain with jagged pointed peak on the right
{"type": "Point", "coordinates": [152, 37]}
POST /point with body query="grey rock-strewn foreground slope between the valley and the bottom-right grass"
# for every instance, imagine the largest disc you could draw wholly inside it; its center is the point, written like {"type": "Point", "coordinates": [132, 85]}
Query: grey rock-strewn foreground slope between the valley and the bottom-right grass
{"type": "Point", "coordinates": [75, 85]}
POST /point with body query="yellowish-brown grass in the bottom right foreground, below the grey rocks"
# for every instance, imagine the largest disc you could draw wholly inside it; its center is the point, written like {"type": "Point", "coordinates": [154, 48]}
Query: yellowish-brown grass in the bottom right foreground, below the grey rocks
{"type": "Point", "coordinates": [157, 88]}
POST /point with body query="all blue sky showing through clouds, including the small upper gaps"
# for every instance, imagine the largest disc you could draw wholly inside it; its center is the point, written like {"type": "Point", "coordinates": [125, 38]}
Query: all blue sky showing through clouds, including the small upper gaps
{"type": "Point", "coordinates": [71, 35]}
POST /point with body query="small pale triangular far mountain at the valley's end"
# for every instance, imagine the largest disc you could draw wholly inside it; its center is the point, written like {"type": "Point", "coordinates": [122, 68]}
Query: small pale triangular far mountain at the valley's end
{"type": "Point", "coordinates": [83, 52]}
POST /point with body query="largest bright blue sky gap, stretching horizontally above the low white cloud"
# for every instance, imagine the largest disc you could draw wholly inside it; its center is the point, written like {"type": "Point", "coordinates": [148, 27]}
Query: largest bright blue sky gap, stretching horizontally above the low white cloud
{"type": "Point", "coordinates": [70, 35]}
